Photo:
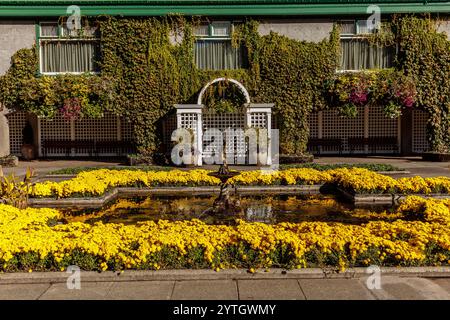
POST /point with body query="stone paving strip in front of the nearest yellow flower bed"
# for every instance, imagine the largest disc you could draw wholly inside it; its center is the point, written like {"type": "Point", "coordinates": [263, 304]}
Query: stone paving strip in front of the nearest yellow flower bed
{"type": "Point", "coordinates": [392, 287]}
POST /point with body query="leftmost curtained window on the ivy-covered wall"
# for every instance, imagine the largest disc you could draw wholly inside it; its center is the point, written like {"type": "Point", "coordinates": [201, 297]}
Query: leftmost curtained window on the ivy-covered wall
{"type": "Point", "coordinates": [62, 50]}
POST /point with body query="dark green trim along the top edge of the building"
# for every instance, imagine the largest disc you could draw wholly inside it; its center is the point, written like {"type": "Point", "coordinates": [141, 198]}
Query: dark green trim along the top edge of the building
{"type": "Point", "coordinates": [225, 10]}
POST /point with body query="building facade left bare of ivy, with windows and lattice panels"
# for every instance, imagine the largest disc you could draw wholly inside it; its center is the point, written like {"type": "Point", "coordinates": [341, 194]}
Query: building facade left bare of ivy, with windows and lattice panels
{"type": "Point", "coordinates": [24, 24]}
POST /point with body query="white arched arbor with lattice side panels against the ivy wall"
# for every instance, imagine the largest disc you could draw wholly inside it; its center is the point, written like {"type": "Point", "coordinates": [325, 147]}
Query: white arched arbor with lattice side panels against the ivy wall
{"type": "Point", "coordinates": [257, 115]}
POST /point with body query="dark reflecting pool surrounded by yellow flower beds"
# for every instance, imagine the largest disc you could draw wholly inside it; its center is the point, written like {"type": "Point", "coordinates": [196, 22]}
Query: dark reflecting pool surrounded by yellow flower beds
{"type": "Point", "coordinates": [266, 209]}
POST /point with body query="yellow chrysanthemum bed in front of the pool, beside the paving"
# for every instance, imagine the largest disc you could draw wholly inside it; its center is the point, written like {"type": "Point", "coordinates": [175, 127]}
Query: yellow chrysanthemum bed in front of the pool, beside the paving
{"type": "Point", "coordinates": [31, 240]}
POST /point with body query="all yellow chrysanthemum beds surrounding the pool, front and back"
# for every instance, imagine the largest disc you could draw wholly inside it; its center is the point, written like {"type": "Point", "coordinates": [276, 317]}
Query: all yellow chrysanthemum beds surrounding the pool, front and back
{"type": "Point", "coordinates": [413, 234]}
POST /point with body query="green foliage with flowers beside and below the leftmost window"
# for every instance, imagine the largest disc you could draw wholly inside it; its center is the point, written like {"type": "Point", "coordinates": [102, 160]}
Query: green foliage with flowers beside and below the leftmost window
{"type": "Point", "coordinates": [24, 90]}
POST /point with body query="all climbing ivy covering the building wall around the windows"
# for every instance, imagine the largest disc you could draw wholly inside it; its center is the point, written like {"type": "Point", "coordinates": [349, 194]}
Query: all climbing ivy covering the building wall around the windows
{"type": "Point", "coordinates": [148, 66]}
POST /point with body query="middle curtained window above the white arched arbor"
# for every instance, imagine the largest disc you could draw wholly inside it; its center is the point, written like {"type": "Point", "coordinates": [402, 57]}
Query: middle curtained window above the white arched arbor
{"type": "Point", "coordinates": [213, 48]}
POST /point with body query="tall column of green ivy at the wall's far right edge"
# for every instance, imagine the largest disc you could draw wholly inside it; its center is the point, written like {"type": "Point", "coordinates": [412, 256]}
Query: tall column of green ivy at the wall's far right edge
{"type": "Point", "coordinates": [424, 55]}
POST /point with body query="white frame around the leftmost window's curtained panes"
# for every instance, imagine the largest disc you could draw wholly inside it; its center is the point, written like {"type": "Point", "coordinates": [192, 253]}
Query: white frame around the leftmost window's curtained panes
{"type": "Point", "coordinates": [60, 37]}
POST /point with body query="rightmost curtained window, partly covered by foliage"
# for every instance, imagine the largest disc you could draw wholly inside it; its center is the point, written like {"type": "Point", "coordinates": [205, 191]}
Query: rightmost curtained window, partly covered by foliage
{"type": "Point", "coordinates": [357, 53]}
